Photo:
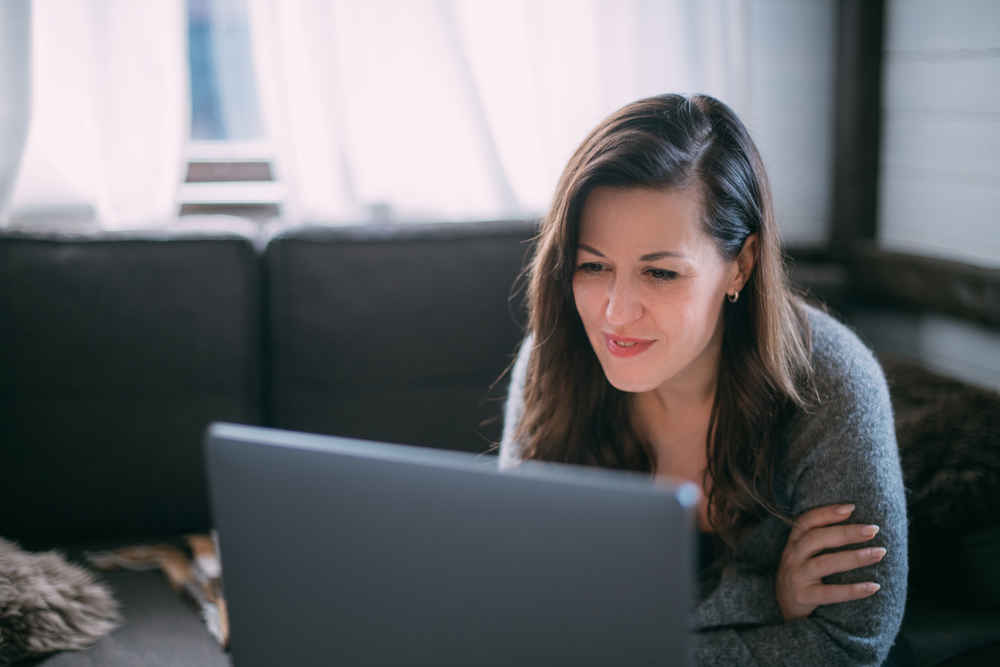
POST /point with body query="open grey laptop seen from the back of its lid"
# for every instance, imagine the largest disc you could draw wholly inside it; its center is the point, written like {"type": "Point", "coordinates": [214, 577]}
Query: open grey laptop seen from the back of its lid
{"type": "Point", "coordinates": [339, 551]}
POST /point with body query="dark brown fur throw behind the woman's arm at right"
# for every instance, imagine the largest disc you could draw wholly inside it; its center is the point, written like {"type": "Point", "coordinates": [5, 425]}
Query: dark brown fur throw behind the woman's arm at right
{"type": "Point", "coordinates": [949, 445]}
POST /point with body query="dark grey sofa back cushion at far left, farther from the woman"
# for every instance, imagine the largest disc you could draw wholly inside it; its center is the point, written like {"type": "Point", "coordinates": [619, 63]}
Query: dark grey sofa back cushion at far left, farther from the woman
{"type": "Point", "coordinates": [117, 351]}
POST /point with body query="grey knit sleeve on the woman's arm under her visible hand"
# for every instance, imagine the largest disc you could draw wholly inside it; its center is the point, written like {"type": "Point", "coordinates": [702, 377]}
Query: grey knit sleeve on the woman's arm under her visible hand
{"type": "Point", "coordinates": [848, 453]}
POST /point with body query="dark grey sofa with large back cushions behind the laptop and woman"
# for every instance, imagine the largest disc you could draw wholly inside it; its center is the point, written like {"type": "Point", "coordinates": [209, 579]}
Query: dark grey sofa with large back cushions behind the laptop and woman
{"type": "Point", "coordinates": [118, 350]}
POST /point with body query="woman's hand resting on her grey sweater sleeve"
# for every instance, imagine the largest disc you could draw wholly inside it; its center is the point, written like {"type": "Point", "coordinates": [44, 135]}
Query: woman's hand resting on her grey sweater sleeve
{"type": "Point", "coordinates": [800, 588]}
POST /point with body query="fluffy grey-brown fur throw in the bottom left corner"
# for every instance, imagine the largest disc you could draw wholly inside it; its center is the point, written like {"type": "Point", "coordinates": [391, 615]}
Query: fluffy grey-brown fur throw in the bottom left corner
{"type": "Point", "coordinates": [48, 604]}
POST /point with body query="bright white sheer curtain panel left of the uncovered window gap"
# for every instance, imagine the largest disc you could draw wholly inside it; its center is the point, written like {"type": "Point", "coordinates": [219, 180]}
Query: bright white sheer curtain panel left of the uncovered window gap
{"type": "Point", "coordinates": [109, 114]}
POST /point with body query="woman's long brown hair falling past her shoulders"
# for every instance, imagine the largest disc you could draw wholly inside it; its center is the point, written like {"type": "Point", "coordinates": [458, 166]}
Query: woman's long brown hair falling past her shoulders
{"type": "Point", "coordinates": [572, 414]}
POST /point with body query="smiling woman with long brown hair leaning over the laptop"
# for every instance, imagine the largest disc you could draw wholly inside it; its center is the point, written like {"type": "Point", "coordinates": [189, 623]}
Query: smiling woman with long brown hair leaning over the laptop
{"type": "Point", "coordinates": [663, 337]}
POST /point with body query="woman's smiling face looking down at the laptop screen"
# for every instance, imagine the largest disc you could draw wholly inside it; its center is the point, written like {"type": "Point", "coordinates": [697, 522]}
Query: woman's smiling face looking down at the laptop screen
{"type": "Point", "coordinates": [649, 286]}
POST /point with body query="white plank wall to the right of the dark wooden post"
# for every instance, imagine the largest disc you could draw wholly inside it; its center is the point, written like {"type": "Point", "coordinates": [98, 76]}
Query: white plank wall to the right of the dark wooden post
{"type": "Point", "coordinates": [939, 192]}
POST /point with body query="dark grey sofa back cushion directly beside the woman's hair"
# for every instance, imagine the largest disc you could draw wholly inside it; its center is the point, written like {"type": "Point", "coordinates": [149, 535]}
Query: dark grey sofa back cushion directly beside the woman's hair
{"type": "Point", "coordinates": [394, 333]}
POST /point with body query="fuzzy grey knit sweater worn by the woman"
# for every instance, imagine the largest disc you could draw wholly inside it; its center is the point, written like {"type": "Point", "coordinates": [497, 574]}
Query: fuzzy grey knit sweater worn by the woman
{"type": "Point", "coordinates": [845, 451]}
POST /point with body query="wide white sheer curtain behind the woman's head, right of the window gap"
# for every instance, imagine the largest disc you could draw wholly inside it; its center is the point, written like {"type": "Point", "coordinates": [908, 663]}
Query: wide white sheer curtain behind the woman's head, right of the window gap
{"type": "Point", "coordinates": [460, 109]}
